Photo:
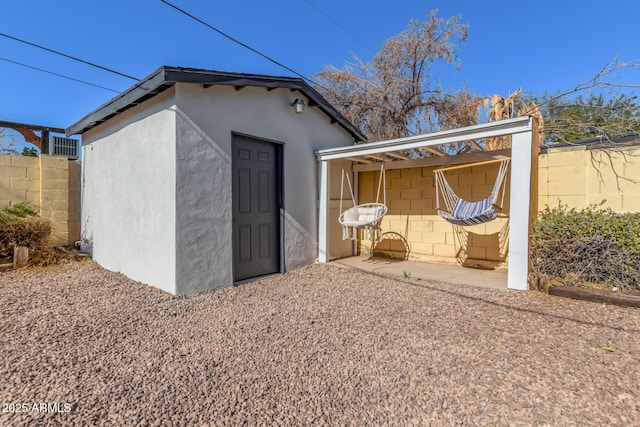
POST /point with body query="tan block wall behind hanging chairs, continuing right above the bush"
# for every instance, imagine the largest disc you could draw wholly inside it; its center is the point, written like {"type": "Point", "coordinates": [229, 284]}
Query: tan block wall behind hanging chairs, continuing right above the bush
{"type": "Point", "coordinates": [573, 176]}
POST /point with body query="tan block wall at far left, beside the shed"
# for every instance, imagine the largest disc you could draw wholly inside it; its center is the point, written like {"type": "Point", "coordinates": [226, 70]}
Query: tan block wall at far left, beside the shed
{"type": "Point", "coordinates": [51, 183]}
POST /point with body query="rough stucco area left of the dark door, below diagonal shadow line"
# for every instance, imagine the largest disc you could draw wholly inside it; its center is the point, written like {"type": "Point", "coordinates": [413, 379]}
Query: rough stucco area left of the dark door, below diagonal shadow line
{"type": "Point", "coordinates": [204, 200]}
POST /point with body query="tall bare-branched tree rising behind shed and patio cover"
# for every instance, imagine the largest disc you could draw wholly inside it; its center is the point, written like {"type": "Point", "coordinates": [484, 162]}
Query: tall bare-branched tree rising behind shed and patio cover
{"type": "Point", "coordinates": [396, 94]}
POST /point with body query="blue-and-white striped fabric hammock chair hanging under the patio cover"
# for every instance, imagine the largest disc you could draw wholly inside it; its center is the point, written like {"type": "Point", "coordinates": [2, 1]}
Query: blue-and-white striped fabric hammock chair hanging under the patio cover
{"type": "Point", "coordinates": [462, 212]}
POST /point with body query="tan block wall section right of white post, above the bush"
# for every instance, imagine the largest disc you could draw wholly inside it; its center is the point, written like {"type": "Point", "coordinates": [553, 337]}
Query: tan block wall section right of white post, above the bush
{"type": "Point", "coordinates": [578, 177]}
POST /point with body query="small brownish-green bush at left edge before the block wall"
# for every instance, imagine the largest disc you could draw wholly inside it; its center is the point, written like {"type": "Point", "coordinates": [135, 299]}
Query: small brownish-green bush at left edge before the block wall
{"type": "Point", "coordinates": [20, 225]}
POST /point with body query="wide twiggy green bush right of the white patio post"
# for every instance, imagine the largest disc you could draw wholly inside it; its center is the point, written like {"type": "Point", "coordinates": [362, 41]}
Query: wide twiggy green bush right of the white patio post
{"type": "Point", "coordinates": [588, 246]}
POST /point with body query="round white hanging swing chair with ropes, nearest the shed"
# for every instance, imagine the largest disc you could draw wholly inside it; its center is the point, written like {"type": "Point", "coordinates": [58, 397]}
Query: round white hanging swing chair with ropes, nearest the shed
{"type": "Point", "coordinates": [365, 216]}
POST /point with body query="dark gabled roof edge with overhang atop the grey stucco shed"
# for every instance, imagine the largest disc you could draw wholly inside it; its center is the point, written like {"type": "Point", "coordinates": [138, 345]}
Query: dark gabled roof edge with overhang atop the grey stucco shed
{"type": "Point", "coordinates": [166, 77]}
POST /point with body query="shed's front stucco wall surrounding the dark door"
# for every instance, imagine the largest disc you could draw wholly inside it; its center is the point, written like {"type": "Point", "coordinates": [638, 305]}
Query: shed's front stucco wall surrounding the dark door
{"type": "Point", "coordinates": [207, 120]}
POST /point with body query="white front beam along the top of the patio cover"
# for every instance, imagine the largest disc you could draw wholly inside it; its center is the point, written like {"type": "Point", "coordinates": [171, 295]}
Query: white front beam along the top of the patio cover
{"type": "Point", "coordinates": [485, 130]}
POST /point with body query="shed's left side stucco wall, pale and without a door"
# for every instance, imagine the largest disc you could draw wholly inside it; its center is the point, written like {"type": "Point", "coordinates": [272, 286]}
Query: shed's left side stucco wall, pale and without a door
{"type": "Point", "coordinates": [129, 193]}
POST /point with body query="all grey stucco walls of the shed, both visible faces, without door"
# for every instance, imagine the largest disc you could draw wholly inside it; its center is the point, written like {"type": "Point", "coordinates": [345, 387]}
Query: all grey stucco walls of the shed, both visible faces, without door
{"type": "Point", "coordinates": [168, 162]}
